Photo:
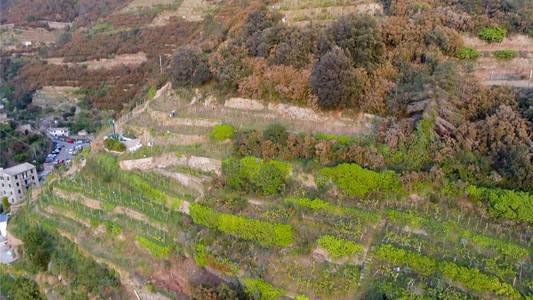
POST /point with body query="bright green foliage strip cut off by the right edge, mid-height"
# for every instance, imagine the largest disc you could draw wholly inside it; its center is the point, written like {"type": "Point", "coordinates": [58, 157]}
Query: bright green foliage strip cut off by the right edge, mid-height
{"type": "Point", "coordinates": [501, 203]}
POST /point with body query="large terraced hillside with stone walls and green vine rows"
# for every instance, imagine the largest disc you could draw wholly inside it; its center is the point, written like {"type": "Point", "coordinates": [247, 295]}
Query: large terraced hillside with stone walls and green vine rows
{"type": "Point", "coordinates": [174, 216]}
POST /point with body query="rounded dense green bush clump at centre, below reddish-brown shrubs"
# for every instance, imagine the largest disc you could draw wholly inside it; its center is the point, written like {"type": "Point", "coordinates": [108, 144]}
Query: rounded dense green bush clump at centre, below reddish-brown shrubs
{"type": "Point", "coordinates": [254, 174]}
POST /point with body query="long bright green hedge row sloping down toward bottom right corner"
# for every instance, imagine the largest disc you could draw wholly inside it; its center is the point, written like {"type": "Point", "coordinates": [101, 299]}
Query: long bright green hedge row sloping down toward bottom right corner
{"type": "Point", "coordinates": [468, 277]}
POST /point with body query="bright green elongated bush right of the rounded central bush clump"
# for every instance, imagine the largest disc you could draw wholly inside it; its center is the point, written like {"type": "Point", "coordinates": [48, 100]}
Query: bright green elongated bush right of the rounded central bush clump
{"type": "Point", "coordinates": [356, 181]}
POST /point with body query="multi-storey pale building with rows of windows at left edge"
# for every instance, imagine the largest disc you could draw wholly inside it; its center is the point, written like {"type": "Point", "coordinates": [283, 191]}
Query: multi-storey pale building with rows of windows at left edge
{"type": "Point", "coordinates": [17, 180]}
